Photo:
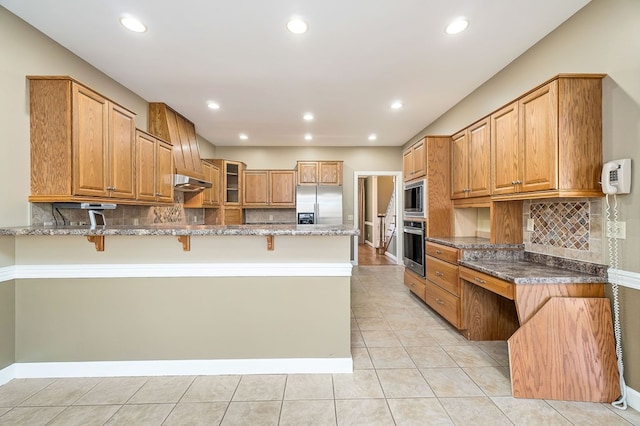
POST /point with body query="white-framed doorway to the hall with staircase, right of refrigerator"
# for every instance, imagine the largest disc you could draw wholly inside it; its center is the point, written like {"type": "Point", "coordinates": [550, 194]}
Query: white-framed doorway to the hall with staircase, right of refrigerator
{"type": "Point", "coordinates": [377, 212]}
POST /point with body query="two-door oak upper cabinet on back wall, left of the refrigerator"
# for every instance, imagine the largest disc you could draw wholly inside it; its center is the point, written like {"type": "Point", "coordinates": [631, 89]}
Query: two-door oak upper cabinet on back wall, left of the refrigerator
{"type": "Point", "coordinates": [269, 188]}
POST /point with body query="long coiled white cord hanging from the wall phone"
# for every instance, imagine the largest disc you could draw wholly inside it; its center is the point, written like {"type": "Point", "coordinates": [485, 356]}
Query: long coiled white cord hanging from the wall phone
{"type": "Point", "coordinates": [612, 228]}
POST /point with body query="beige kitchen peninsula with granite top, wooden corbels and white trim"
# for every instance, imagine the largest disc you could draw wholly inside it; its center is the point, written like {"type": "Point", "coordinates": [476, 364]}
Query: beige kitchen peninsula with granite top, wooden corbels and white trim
{"type": "Point", "coordinates": [175, 299]}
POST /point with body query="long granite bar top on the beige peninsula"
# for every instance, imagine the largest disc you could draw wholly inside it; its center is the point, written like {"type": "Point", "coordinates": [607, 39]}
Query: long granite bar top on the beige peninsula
{"type": "Point", "coordinates": [196, 230]}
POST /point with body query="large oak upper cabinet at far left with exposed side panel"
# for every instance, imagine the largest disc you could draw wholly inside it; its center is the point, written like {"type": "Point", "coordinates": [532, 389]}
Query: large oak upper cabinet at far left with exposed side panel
{"type": "Point", "coordinates": [82, 144]}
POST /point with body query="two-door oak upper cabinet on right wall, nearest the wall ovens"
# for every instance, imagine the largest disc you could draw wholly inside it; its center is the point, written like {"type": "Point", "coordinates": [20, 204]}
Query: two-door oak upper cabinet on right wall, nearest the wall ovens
{"type": "Point", "coordinates": [470, 157]}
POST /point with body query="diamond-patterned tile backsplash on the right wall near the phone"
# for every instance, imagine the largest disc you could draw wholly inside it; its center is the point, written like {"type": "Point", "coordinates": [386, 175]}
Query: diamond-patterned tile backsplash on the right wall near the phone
{"type": "Point", "coordinates": [565, 227]}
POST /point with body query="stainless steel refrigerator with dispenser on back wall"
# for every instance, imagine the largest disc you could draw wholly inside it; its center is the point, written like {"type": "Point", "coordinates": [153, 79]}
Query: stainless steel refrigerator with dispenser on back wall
{"type": "Point", "coordinates": [325, 202]}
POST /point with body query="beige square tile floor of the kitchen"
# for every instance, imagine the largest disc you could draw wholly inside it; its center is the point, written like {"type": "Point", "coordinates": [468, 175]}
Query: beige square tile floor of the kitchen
{"type": "Point", "coordinates": [411, 368]}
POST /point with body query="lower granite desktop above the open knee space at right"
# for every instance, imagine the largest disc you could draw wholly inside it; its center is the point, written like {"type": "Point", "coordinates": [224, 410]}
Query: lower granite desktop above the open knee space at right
{"type": "Point", "coordinates": [529, 272]}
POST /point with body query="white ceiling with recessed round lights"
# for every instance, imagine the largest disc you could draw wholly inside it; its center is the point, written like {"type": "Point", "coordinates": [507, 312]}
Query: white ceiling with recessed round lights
{"type": "Point", "coordinates": [357, 57]}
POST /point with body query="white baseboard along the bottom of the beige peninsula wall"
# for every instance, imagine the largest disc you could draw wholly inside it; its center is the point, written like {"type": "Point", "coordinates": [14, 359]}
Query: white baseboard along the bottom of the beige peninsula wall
{"type": "Point", "coordinates": [31, 370]}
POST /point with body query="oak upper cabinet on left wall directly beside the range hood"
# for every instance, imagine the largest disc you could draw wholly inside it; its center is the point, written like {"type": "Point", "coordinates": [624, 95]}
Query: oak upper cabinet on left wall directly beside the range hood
{"type": "Point", "coordinates": [154, 166]}
